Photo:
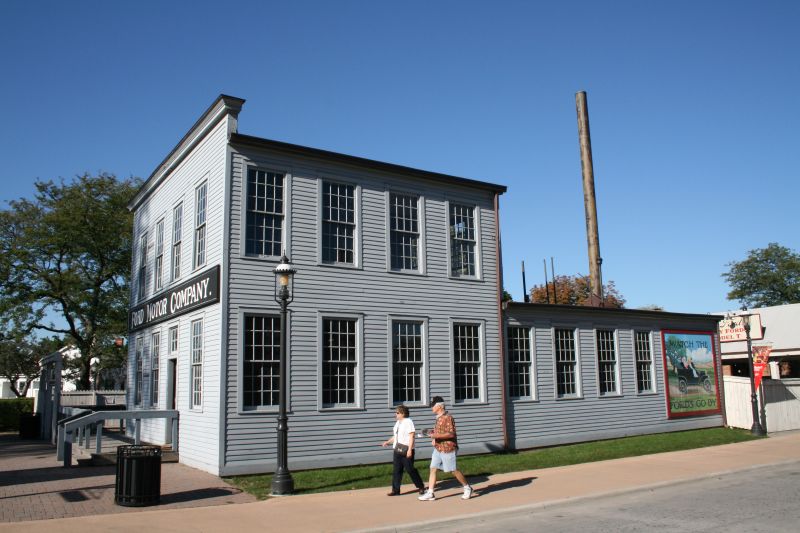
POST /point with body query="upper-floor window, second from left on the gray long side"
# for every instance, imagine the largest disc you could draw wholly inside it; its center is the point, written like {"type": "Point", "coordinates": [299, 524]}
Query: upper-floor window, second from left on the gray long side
{"type": "Point", "coordinates": [338, 223]}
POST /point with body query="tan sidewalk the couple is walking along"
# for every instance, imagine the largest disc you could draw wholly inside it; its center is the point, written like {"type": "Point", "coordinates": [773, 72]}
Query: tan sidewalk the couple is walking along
{"type": "Point", "coordinates": [371, 510]}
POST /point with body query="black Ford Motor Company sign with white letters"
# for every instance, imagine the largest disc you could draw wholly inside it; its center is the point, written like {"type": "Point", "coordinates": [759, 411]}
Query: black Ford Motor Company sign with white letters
{"type": "Point", "coordinates": [195, 293]}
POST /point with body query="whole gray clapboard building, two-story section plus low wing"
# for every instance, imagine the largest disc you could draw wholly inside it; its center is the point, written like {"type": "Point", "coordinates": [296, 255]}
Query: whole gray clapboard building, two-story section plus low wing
{"type": "Point", "coordinates": [396, 298]}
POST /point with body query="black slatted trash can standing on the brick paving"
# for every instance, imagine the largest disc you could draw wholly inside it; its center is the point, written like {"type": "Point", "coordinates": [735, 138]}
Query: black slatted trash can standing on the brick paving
{"type": "Point", "coordinates": [138, 476]}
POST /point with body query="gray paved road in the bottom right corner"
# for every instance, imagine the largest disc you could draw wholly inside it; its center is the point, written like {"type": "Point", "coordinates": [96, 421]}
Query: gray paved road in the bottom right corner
{"type": "Point", "coordinates": [764, 499]}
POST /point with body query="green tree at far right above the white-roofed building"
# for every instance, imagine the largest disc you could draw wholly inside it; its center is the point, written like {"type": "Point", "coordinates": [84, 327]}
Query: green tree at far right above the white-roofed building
{"type": "Point", "coordinates": [768, 276]}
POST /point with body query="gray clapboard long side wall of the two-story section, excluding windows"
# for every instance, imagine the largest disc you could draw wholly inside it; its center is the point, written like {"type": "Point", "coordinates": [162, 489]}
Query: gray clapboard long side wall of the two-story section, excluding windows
{"type": "Point", "coordinates": [369, 292]}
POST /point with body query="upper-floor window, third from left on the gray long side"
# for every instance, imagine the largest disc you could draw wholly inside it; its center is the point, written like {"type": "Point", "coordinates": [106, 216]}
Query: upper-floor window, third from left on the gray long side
{"type": "Point", "coordinates": [404, 231]}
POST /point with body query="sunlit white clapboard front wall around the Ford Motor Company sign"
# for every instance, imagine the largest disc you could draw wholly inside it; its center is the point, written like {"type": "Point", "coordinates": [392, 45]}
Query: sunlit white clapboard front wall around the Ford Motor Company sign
{"type": "Point", "coordinates": [198, 429]}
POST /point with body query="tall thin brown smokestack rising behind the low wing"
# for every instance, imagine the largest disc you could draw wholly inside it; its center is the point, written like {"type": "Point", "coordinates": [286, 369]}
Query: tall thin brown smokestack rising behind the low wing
{"type": "Point", "coordinates": [589, 200]}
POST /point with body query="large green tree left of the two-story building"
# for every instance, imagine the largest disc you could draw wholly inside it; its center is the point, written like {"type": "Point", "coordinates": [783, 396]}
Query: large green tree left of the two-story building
{"type": "Point", "coordinates": [67, 253]}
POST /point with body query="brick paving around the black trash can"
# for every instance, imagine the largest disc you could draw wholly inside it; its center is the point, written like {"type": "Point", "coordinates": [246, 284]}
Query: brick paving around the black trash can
{"type": "Point", "coordinates": [34, 486]}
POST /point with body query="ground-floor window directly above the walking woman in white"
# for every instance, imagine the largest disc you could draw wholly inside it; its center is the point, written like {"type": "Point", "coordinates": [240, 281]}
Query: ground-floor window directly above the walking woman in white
{"type": "Point", "coordinates": [407, 362]}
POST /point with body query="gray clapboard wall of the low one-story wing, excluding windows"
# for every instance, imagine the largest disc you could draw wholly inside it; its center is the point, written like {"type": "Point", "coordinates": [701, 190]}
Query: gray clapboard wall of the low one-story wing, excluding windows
{"type": "Point", "coordinates": [549, 421]}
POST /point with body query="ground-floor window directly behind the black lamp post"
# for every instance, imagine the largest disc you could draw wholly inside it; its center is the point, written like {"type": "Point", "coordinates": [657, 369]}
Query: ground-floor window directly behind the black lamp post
{"type": "Point", "coordinates": [261, 362]}
